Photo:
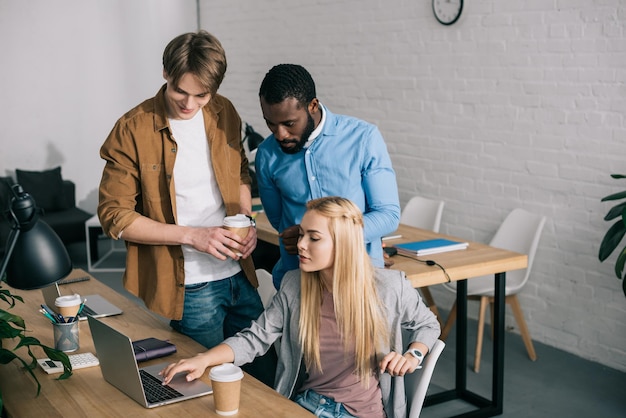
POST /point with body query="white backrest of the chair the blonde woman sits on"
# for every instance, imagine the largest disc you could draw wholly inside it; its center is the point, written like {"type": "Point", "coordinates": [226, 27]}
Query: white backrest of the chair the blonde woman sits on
{"type": "Point", "coordinates": [416, 383]}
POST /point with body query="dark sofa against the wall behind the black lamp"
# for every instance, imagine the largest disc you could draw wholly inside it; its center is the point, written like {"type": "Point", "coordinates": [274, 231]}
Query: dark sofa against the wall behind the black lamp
{"type": "Point", "coordinates": [55, 196]}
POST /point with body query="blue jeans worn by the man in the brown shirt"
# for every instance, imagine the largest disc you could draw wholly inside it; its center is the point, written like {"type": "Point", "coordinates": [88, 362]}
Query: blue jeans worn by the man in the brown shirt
{"type": "Point", "coordinates": [217, 310]}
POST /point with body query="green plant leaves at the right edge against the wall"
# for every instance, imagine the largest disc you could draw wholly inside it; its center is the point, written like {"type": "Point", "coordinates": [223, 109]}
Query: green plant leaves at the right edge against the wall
{"type": "Point", "coordinates": [616, 232]}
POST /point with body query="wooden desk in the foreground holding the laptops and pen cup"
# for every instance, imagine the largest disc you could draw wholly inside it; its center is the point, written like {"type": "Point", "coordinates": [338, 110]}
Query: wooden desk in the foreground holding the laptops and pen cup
{"type": "Point", "coordinates": [86, 393]}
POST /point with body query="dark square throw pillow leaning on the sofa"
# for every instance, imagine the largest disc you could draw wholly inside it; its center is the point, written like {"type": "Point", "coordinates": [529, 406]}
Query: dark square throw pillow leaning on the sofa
{"type": "Point", "coordinates": [46, 187]}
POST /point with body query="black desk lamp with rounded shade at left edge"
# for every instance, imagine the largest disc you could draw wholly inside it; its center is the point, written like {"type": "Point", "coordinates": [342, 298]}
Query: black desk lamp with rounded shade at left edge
{"type": "Point", "coordinates": [35, 255]}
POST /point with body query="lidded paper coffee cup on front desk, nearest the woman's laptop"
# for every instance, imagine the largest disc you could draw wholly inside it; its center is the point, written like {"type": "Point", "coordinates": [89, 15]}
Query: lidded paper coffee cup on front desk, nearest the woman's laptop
{"type": "Point", "coordinates": [226, 383]}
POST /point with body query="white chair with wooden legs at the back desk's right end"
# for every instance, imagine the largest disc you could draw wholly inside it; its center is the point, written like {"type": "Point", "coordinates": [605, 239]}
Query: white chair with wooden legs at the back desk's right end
{"type": "Point", "coordinates": [519, 232]}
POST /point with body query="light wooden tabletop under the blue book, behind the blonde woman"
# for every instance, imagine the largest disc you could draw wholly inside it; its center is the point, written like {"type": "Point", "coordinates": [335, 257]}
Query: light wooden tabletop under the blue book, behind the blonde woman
{"type": "Point", "coordinates": [477, 260]}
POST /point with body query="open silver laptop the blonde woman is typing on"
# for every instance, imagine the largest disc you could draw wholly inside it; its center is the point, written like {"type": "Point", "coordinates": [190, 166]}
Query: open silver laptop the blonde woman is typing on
{"type": "Point", "coordinates": [119, 368]}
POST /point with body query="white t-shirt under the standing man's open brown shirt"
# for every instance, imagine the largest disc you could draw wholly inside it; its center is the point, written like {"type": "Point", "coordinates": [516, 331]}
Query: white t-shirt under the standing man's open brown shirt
{"type": "Point", "coordinates": [198, 199]}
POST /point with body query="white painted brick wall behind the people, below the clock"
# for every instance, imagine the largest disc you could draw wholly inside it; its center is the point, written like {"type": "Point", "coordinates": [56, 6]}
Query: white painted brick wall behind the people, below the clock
{"type": "Point", "coordinates": [518, 104]}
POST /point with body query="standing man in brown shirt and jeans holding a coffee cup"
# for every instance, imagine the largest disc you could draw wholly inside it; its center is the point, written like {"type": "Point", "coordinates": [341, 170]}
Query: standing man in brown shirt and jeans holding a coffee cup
{"type": "Point", "coordinates": [175, 167]}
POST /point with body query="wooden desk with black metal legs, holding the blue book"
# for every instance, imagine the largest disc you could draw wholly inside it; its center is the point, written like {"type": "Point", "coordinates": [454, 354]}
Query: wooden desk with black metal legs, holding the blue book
{"type": "Point", "coordinates": [477, 260]}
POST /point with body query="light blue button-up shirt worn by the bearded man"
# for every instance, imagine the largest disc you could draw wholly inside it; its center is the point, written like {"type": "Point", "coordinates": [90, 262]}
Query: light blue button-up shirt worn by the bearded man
{"type": "Point", "coordinates": [349, 159]}
